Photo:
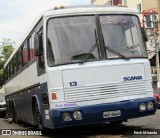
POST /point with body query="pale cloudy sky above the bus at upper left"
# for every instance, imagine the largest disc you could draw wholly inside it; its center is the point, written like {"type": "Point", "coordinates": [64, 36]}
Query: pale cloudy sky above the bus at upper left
{"type": "Point", "coordinates": [16, 16]}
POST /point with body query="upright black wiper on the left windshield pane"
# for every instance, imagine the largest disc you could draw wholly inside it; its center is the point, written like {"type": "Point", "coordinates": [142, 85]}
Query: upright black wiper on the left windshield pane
{"type": "Point", "coordinates": [91, 50]}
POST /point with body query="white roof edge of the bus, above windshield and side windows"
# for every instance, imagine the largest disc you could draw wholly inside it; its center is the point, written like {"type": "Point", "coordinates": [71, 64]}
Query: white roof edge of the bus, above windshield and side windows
{"type": "Point", "coordinates": [75, 10]}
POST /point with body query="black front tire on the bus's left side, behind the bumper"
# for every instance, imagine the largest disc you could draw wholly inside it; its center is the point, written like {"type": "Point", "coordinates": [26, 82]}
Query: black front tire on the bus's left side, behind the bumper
{"type": "Point", "coordinates": [38, 117]}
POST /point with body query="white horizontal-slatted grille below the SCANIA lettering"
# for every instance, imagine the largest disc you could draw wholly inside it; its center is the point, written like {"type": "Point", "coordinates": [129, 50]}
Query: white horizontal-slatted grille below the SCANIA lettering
{"type": "Point", "coordinates": [105, 91]}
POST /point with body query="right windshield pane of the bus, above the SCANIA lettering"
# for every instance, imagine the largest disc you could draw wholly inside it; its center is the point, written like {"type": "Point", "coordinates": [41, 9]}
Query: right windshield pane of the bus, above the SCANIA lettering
{"type": "Point", "coordinates": [123, 34]}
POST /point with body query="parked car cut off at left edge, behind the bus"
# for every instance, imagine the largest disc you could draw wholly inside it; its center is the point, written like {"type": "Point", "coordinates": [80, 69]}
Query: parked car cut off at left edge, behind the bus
{"type": "Point", "coordinates": [2, 105]}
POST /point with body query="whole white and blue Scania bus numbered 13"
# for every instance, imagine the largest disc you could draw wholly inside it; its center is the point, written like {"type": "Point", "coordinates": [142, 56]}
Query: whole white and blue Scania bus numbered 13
{"type": "Point", "coordinates": [80, 65]}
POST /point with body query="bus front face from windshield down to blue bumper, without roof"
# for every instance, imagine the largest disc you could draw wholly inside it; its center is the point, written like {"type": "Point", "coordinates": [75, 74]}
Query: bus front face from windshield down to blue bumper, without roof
{"type": "Point", "coordinates": [97, 69]}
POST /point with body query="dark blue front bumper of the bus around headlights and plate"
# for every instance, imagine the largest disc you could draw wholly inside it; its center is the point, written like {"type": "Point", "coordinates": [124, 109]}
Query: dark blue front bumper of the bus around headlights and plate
{"type": "Point", "coordinates": [94, 113]}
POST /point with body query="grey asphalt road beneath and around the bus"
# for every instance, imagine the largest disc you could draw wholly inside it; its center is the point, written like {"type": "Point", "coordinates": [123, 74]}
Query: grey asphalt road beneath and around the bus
{"type": "Point", "coordinates": [149, 124]}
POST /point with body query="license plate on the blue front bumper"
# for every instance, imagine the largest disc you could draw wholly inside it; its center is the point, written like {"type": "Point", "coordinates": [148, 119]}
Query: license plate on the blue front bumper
{"type": "Point", "coordinates": [109, 114]}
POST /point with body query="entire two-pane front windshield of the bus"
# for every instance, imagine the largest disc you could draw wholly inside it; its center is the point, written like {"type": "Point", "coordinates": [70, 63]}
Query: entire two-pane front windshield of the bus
{"type": "Point", "coordinates": [70, 38]}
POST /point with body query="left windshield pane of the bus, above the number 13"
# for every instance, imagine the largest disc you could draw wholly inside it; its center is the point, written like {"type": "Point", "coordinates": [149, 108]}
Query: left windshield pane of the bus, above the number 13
{"type": "Point", "coordinates": [70, 39]}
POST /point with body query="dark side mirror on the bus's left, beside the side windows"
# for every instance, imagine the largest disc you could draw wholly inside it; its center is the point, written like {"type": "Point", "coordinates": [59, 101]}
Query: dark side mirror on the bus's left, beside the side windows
{"type": "Point", "coordinates": [38, 45]}
